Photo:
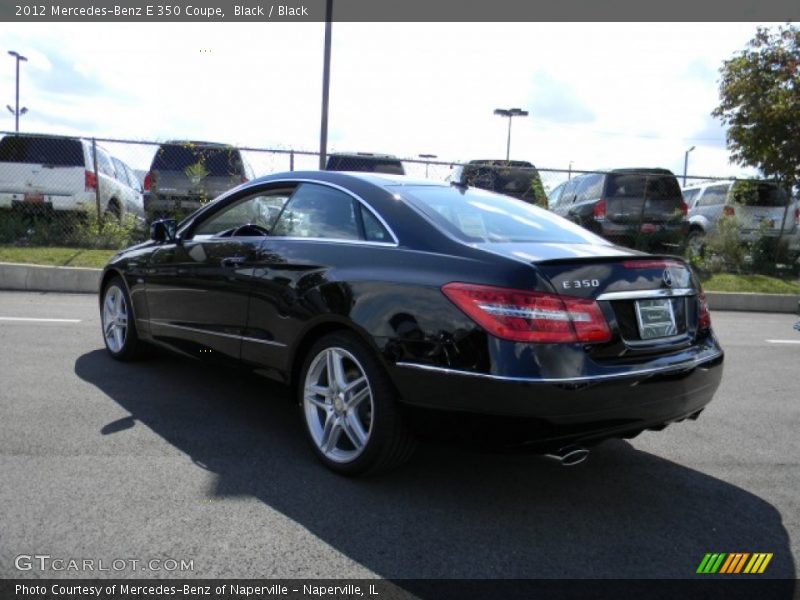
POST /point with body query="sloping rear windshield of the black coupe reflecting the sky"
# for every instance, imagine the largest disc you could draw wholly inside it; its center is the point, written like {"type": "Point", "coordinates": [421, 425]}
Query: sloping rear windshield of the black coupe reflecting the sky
{"type": "Point", "coordinates": [476, 216]}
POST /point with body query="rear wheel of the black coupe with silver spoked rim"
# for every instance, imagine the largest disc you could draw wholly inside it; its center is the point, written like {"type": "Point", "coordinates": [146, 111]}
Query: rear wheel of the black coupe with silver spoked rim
{"type": "Point", "coordinates": [364, 436]}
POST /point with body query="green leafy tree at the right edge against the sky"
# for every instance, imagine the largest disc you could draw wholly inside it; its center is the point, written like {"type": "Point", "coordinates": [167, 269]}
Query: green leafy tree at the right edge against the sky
{"type": "Point", "coordinates": [760, 103]}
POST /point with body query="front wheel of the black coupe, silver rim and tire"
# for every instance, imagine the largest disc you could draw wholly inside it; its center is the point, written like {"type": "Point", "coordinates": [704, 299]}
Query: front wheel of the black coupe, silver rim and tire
{"type": "Point", "coordinates": [120, 336]}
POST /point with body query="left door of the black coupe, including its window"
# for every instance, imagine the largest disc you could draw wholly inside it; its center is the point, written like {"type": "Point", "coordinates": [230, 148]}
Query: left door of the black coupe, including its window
{"type": "Point", "coordinates": [198, 287]}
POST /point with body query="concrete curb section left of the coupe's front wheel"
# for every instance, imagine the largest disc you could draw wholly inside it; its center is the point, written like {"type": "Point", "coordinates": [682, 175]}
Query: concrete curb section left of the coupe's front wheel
{"type": "Point", "coordinates": [39, 278]}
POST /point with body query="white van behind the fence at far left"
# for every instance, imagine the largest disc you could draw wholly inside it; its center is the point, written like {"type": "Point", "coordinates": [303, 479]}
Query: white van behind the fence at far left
{"type": "Point", "coordinates": [48, 173]}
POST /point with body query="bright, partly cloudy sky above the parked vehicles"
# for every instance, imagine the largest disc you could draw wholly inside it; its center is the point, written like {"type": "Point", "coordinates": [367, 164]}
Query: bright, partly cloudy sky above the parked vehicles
{"type": "Point", "coordinates": [600, 95]}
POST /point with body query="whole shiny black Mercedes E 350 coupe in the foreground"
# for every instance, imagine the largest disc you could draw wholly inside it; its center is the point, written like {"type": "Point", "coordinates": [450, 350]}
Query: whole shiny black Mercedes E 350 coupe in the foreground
{"type": "Point", "coordinates": [378, 296]}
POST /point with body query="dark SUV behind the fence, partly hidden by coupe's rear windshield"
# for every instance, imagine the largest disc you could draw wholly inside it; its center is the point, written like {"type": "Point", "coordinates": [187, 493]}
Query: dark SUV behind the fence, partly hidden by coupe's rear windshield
{"type": "Point", "coordinates": [516, 178]}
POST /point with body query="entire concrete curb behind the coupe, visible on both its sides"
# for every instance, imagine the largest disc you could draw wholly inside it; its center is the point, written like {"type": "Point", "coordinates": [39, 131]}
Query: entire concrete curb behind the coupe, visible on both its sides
{"type": "Point", "coordinates": [38, 278]}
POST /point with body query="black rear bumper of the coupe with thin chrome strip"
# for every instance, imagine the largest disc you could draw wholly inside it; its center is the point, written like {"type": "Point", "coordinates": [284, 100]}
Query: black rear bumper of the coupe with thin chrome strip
{"type": "Point", "coordinates": [637, 398]}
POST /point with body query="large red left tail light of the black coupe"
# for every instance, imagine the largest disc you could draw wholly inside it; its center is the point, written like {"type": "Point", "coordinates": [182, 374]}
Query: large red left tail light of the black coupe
{"type": "Point", "coordinates": [522, 316]}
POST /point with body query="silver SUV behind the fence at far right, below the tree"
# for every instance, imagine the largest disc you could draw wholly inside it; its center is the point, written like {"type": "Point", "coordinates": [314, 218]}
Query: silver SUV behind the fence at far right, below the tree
{"type": "Point", "coordinates": [760, 207]}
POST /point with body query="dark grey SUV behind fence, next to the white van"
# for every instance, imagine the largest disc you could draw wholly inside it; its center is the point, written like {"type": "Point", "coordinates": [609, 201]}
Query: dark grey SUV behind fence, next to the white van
{"type": "Point", "coordinates": [184, 175]}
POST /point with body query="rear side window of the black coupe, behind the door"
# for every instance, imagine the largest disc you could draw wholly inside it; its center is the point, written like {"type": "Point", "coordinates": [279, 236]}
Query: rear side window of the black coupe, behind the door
{"type": "Point", "coordinates": [317, 211]}
